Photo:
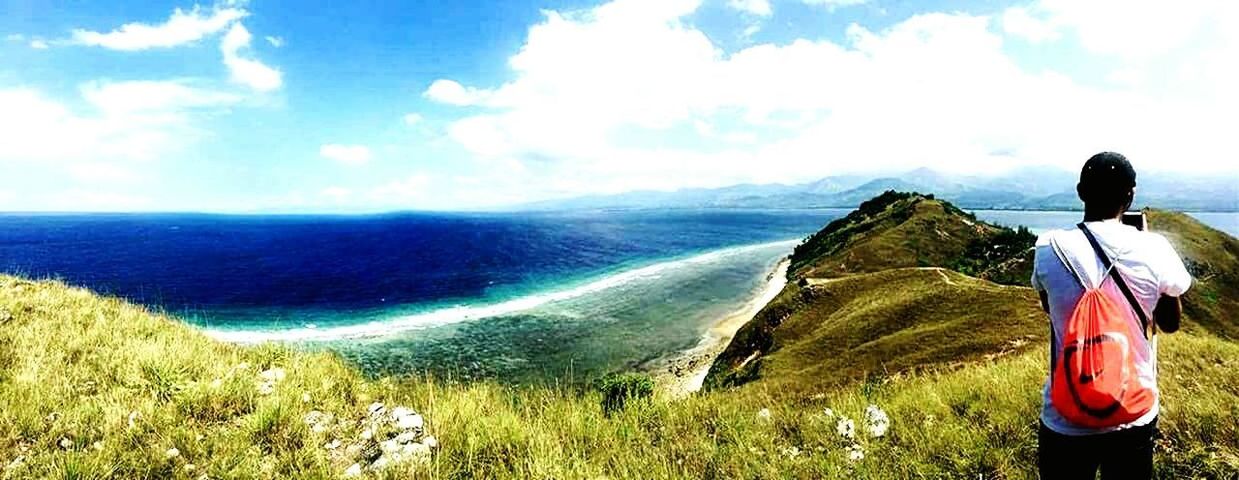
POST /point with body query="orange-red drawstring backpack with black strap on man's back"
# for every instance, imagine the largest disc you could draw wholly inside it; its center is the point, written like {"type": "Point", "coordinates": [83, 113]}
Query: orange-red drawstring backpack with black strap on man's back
{"type": "Point", "coordinates": [1096, 383]}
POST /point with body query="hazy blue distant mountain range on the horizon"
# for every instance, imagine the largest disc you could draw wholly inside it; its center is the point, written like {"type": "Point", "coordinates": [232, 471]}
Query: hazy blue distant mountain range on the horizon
{"type": "Point", "coordinates": [1023, 189]}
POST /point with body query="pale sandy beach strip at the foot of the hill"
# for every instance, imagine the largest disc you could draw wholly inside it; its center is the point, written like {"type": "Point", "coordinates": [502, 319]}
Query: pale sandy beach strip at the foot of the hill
{"type": "Point", "coordinates": [685, 373]}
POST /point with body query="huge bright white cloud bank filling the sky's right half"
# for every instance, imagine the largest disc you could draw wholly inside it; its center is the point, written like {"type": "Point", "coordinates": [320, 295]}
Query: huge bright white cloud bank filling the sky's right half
{"type": "Point", "coordinates": [611, 100]}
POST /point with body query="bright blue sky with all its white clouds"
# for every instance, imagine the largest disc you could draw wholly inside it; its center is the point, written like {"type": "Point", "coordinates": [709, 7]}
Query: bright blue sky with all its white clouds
{"type": "Point", "coordinates": [379, 106]}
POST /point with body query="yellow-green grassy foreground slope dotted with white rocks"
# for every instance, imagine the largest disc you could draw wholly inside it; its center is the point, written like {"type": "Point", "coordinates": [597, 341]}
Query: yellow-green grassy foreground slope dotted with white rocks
{"type": "Point", "coordinates": [75, 368]}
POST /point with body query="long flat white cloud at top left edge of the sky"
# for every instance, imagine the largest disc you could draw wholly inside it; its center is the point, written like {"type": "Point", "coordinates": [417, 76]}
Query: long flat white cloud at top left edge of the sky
{"type": "Point", "coordinates": [180, 29]}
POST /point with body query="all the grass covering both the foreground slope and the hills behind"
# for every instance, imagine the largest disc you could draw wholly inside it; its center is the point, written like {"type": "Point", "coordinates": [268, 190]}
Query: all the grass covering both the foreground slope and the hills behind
{"type": "Point", "coordinates": [94, 388]}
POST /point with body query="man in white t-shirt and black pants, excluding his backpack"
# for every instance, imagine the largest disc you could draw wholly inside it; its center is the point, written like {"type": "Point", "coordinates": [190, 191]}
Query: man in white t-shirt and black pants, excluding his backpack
{"type": "Point", "coordinates": [1066, 261]}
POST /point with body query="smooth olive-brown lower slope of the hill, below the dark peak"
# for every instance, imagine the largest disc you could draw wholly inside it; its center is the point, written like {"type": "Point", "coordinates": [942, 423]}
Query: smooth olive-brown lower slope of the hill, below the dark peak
{"type": "Point", "coordinates": [834, 332]}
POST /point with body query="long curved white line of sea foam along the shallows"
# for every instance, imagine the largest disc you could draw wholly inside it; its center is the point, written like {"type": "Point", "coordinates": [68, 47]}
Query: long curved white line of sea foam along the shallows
{"type": "Point", "coordinates": [464, 313]}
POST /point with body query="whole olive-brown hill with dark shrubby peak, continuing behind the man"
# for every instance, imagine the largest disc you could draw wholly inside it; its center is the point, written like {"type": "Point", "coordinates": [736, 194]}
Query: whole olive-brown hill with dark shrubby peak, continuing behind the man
{"type": "Point", "coordinates": [858, 311]}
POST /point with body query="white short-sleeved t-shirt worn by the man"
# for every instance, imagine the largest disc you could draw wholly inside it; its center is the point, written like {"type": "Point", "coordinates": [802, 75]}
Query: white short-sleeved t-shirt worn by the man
{"type": "Point", "coordinates": [1149, 266]}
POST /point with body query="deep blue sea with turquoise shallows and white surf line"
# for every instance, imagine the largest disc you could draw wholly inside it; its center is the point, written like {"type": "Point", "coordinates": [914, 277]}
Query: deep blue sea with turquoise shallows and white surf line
{"type": "Point", "coordinates": [507, 296]}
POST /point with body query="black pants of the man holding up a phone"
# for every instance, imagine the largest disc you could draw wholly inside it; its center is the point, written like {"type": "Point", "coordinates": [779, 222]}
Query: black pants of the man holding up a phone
{"type": "Point", "coordinates": [1123, 455]}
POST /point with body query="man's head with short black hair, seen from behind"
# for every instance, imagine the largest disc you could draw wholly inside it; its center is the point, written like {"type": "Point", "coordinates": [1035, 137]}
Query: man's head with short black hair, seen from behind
{"type": "Point", "coordinates": [1107, 184]}
